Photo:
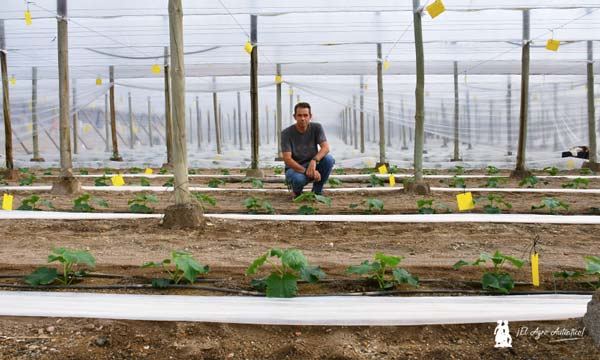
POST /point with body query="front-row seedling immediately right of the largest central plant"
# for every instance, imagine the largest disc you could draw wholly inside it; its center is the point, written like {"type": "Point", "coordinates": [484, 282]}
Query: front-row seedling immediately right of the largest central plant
{"type": "Point", "coordinates": [377, 270]}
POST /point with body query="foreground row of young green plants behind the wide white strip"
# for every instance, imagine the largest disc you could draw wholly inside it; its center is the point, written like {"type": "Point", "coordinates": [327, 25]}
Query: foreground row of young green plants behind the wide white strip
{"type": "Point", "coordinates": [288, 267]}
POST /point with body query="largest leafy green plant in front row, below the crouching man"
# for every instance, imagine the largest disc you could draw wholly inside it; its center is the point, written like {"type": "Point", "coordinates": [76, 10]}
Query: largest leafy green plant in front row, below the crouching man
{"type": "Point", "coordinates": [283, 281]}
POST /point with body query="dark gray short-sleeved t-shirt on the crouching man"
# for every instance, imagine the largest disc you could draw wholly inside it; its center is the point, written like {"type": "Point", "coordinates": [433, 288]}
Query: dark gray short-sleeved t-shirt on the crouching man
{"type": "Point", "coordinates": [302, 146]}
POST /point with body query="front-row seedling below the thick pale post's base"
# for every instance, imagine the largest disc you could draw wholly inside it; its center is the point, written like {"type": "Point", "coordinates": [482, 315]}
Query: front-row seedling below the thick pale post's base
{"type": "Point", "coordinates": [186, 267]}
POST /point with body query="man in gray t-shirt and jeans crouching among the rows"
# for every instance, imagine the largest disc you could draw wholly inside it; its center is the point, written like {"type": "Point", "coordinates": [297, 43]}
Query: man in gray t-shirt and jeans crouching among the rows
{"type": "Point", "coordinates": [304, 162]}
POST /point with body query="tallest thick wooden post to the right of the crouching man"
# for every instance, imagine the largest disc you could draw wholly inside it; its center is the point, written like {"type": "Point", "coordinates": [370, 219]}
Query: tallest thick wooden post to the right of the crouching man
{"type": "Point", "coordinates": [419, 186]}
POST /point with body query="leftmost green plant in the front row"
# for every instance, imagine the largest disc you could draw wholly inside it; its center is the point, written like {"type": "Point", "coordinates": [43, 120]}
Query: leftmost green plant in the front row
{"type": "Point", "coordinates": [69, 259]}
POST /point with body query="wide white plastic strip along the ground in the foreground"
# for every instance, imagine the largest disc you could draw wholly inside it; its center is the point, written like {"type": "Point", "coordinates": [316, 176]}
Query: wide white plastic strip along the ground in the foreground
{"type": "Point", "coordinates": [338, 310]}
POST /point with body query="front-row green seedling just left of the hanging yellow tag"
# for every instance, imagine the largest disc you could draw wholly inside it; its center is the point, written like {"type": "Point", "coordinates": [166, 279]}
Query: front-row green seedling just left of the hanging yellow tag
{"type": "Point", "coordinates": [497, 278]}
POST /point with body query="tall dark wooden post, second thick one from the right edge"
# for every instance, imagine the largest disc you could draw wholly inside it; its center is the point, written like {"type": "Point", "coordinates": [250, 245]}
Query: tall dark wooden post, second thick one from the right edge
{"type": "Point", "coordinates": [520, 171]}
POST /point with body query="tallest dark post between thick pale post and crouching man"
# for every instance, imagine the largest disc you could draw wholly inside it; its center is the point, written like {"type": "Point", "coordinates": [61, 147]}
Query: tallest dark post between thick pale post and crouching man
{"type": "Point", "coordinates": [254, 168]}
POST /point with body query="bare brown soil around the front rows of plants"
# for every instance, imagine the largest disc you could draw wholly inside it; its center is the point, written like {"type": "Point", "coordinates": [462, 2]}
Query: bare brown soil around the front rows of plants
{"type": "Point", "coordinates": [229, 246]}
